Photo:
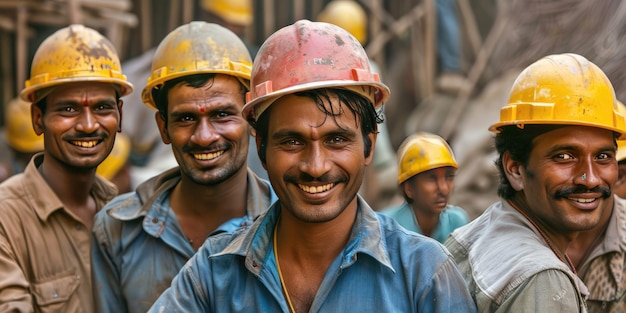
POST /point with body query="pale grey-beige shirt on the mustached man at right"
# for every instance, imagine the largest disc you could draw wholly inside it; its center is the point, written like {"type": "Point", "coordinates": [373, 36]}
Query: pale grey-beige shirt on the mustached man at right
{"type": "Point", "coordinates": [509, 268]}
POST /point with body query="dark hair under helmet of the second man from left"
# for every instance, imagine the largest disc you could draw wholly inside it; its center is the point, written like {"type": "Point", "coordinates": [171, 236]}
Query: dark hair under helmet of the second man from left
{"type": "Point", "coordinates": [195, 81]}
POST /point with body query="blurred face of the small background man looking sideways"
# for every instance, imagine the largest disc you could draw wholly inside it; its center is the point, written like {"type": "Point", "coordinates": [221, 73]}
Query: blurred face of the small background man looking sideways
{"type": "Point", "coordinates": [430, 190]}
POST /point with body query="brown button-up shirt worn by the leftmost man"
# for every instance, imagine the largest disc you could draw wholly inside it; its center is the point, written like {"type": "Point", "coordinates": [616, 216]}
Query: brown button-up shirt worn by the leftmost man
{"type": "Point", "coordinates": [44, 248]}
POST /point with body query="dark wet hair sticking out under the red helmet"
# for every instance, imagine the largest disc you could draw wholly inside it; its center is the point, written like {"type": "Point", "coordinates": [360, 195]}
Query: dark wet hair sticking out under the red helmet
{"type": "Point", "coordinates": [365, 114]}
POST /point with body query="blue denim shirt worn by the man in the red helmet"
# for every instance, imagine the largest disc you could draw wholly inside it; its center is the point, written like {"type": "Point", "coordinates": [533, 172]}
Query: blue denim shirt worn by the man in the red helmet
{"type": "Point", "coordinates": [383, 268]}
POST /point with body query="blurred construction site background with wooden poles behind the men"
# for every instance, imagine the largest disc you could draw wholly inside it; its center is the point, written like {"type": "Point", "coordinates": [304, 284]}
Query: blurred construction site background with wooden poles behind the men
{"type": "Point", "coordinates": [498, 39]}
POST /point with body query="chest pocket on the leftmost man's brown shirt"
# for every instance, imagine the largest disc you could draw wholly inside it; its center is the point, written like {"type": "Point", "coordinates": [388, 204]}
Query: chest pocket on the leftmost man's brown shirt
{"type": "Point", "coordinates": [52, 295]}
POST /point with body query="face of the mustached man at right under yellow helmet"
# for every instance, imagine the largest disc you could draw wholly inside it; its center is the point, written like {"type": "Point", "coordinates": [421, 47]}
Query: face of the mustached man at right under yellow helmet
{"type": "Point", "coordinates": [569, 176]}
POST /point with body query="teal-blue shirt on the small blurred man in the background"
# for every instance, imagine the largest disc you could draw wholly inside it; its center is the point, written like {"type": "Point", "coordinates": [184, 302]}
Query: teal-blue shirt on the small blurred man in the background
{"type": "Point", "coordinates": [451, 218]}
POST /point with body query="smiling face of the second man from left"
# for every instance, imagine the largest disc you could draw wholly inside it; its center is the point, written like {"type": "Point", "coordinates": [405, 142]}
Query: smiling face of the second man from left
{"type": "Point", "coordinates": [209, 137]}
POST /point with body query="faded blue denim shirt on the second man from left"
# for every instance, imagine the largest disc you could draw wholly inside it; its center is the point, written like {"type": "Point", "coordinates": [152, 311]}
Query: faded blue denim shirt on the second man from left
{"type": "Point", "coordinates": [138, 245]}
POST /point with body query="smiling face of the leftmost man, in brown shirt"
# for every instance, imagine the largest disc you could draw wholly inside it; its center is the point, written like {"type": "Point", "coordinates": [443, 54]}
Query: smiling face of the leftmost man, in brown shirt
{"type": "Point", "coordinates": [79, 124]}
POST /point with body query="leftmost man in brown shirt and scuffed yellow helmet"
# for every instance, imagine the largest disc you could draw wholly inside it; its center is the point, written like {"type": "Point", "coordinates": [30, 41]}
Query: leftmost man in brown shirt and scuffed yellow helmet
{"type": "Point", "coordinates": [46, 212]}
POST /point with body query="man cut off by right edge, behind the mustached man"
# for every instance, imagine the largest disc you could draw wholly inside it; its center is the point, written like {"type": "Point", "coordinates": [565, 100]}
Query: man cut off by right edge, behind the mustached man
{"type": "Point", "coordinates": [599, 253]}
